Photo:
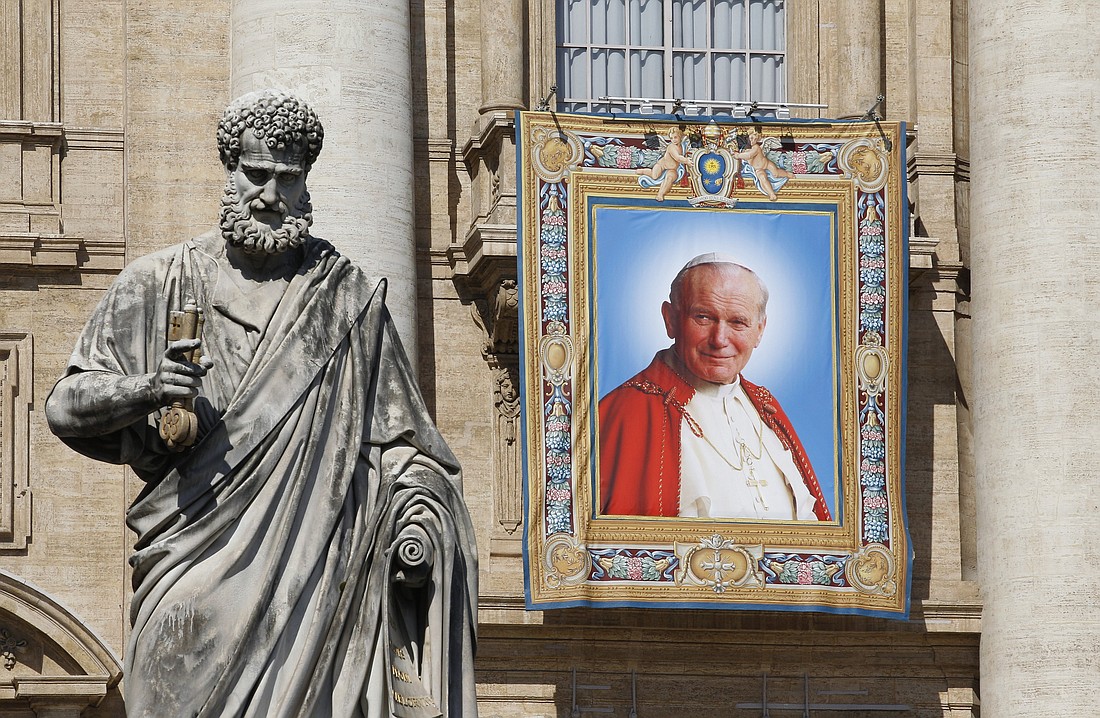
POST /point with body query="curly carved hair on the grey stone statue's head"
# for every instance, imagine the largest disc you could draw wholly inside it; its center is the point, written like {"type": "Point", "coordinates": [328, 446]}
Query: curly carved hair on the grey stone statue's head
{"type": "Point", "coordinates": [281, 120]}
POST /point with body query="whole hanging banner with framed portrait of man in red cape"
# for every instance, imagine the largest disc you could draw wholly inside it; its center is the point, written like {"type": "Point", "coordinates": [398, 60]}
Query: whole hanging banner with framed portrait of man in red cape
{"type": "Point", "coordinates": [713, 355]}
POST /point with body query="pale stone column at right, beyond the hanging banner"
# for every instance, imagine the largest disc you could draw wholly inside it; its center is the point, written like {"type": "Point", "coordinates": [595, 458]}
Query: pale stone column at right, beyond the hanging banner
{"type": "Point", "coordinates": [1036, 260]}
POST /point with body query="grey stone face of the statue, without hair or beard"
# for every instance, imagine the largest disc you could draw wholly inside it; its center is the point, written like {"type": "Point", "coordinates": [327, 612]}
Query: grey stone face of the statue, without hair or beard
{"type": "Point", "coordinates": [274, 178]}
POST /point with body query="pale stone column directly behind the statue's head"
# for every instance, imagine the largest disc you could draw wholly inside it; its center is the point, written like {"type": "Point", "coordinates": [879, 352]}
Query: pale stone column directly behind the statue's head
{"type": "Point", "coordinates": [351, 61]}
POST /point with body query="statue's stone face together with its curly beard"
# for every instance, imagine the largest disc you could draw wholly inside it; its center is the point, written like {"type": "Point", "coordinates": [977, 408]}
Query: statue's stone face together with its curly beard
{"type": "Point", "coordinates": [267, 207]}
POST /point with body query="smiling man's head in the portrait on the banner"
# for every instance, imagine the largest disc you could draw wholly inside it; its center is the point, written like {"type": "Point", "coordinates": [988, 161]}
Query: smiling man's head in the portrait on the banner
{"type": "Point", "coordinates": [717, 323]}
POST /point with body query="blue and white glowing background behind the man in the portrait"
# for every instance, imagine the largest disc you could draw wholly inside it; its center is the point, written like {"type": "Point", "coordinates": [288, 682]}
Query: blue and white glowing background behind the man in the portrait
{"type": "Point", "coordinates": [639, 249]}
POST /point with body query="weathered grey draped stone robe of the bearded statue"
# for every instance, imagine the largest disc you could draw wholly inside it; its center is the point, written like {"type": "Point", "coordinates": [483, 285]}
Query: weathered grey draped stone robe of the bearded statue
{"type": "Point", "coordinates": [312, 555]}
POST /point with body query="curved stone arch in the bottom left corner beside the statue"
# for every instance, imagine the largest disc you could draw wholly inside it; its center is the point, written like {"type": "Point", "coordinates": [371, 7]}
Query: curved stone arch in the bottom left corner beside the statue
{"type": "Point", "coordinates": [50, 660]}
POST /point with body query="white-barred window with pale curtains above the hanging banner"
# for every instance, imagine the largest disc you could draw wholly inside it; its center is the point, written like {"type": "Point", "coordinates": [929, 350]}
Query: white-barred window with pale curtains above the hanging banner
{"type": "Point", "coordinates": [700, 51]}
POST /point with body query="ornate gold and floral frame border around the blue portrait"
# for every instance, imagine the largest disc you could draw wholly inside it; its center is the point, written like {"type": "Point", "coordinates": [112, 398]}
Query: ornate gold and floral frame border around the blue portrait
{"type": "Point", "coordinates": [859, 565]}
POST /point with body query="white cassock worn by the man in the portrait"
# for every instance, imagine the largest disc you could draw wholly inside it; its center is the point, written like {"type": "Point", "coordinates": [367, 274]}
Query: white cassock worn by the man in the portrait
{"type": "Point", "coordinates": [739, 469]}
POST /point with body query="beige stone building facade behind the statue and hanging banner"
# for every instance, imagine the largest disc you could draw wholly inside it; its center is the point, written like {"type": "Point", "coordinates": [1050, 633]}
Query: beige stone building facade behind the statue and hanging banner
{"type": "Point", "coordinates": [107, 153]}
